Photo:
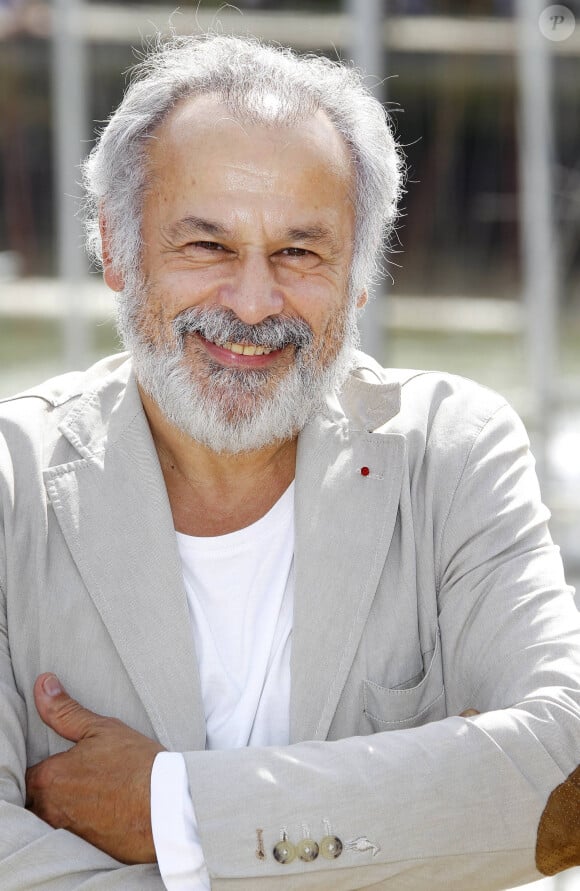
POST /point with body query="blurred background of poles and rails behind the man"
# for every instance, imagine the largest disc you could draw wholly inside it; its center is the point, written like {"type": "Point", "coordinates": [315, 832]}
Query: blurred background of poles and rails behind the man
{"type": "Point", "coordinates": [483, 277]}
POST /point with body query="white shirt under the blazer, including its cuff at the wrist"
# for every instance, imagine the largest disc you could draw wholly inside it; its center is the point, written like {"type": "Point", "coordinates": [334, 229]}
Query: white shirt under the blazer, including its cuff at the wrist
{"type": "Point", "coordinates": [240, 593]}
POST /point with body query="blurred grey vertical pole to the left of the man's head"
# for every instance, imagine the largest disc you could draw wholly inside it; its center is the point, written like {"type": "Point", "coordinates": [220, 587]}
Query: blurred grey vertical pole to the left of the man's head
{"type": "Point", "coordinates": [69, 116]}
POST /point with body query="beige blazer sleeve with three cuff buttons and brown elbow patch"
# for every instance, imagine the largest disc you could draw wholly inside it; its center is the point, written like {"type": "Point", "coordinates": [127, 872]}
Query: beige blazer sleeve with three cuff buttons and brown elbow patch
{"type": "Point", "coordinates": [456, 803]}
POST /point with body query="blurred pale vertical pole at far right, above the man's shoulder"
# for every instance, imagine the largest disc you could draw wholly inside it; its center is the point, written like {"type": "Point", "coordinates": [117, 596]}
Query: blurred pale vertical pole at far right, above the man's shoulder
{"type": "Point", "coordinates": [539, 260]}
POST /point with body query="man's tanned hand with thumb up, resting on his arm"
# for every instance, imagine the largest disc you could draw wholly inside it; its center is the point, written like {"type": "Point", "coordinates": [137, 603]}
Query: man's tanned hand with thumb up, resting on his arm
{"type": "Point", "coordinates": [100, 788]}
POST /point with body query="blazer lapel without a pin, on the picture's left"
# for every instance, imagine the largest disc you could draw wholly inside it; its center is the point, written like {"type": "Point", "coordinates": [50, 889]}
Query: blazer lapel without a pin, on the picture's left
{"type": "Point", "coordinates": [114, 513]}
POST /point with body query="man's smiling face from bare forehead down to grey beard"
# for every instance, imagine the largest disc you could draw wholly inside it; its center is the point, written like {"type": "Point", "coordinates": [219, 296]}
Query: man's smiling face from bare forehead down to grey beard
{"type": "Point", "coordinates": [248, 234]}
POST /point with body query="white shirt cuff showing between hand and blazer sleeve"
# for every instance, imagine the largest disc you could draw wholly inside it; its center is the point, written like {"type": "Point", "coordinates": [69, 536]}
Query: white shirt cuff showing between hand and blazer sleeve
{"type": "Point", "coordinates": [177, 845]}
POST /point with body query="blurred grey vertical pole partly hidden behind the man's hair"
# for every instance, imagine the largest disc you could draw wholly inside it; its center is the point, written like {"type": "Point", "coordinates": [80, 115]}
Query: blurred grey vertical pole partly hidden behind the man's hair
{"type": "Point", "coordinates": [367, 50]}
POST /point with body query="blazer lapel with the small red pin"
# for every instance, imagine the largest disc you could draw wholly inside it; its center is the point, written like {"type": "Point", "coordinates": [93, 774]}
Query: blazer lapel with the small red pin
{"type": "Point", "coordinates": [344, 523]}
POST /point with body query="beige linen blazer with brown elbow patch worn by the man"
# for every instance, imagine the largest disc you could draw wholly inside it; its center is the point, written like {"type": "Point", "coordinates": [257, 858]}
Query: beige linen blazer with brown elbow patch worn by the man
{"type": "Point", "coordinates": [427, 586]}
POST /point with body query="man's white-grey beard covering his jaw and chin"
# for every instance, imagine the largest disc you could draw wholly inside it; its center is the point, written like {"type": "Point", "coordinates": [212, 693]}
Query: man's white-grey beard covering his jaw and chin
{"type": "Point", "coordinates": [227, 409]}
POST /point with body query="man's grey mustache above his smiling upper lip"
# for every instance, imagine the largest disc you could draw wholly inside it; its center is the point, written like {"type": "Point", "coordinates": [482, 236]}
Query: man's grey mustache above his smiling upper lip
{"type": "Point", "coordinates": [221, 325]}
